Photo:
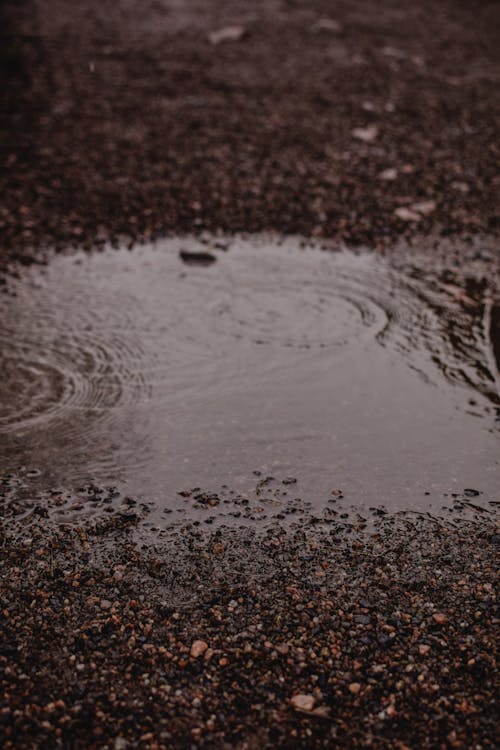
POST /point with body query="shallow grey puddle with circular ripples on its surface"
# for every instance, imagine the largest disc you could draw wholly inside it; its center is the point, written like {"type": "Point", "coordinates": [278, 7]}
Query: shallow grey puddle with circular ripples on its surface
{"type": "Point", "coordinates": [167, 368]}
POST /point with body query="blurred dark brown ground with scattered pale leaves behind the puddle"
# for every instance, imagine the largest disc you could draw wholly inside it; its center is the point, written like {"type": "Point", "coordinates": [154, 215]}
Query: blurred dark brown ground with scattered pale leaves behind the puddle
{"type": "Point", "coordinates": [360, 121]}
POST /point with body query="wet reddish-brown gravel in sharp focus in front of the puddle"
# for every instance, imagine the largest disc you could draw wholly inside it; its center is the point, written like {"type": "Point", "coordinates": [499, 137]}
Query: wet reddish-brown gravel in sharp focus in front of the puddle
{"type": "Point", "coordinates": [245, 640]}
